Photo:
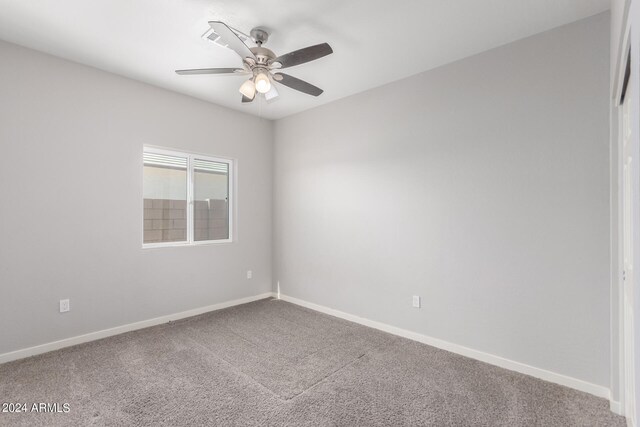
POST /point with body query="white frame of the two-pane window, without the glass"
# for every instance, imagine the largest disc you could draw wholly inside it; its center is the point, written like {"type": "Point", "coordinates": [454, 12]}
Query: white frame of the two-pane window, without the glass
{"type": "Point", "coordinates": [190, 197]}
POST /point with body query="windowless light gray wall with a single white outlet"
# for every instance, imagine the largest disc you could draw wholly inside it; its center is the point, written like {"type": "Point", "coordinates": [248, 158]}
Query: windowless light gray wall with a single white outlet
{"type": "Point", "coordinates": [482, 186]}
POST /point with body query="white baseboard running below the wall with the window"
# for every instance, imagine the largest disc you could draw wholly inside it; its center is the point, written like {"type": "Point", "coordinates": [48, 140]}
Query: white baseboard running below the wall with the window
{"type": "Point", "coordinates": [92, 336]}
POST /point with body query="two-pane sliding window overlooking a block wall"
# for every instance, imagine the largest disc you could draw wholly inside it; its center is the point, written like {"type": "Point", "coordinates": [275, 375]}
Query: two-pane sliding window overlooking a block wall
{"type": "Point", "coordinates": [187, 198]}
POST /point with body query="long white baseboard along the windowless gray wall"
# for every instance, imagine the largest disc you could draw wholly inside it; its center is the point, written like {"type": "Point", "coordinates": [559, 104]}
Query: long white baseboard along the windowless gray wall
{"type": "Point", "coordinates": [522, 368]}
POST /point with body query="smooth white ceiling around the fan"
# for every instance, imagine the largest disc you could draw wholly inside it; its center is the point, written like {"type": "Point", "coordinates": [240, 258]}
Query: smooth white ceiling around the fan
{"type": "Point", "coordinates": [374, 41]}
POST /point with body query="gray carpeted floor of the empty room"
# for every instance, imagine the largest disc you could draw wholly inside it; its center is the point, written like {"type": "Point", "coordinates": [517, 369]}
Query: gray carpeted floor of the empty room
{"type": "Point", "coordinates": [271, 363]}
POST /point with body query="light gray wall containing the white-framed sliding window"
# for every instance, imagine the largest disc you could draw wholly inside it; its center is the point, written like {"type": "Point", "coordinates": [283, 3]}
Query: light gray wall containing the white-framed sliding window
{"type": "Point", "coordinates": [71, 192]}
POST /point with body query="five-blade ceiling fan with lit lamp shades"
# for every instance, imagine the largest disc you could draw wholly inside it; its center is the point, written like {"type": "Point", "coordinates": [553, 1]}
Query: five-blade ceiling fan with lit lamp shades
{"type": "Point", "coordinates": [262, 64]}
